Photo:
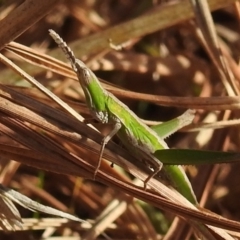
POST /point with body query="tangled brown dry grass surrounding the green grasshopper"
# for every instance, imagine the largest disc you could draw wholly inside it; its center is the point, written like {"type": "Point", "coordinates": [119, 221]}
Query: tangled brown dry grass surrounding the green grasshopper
{"type": "Point", "coordinates": [167, 63]}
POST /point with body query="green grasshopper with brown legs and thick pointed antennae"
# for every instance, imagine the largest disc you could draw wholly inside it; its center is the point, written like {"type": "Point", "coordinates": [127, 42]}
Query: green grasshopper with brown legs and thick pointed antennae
{"type": "Point", "coordinates": [133, 133]}
